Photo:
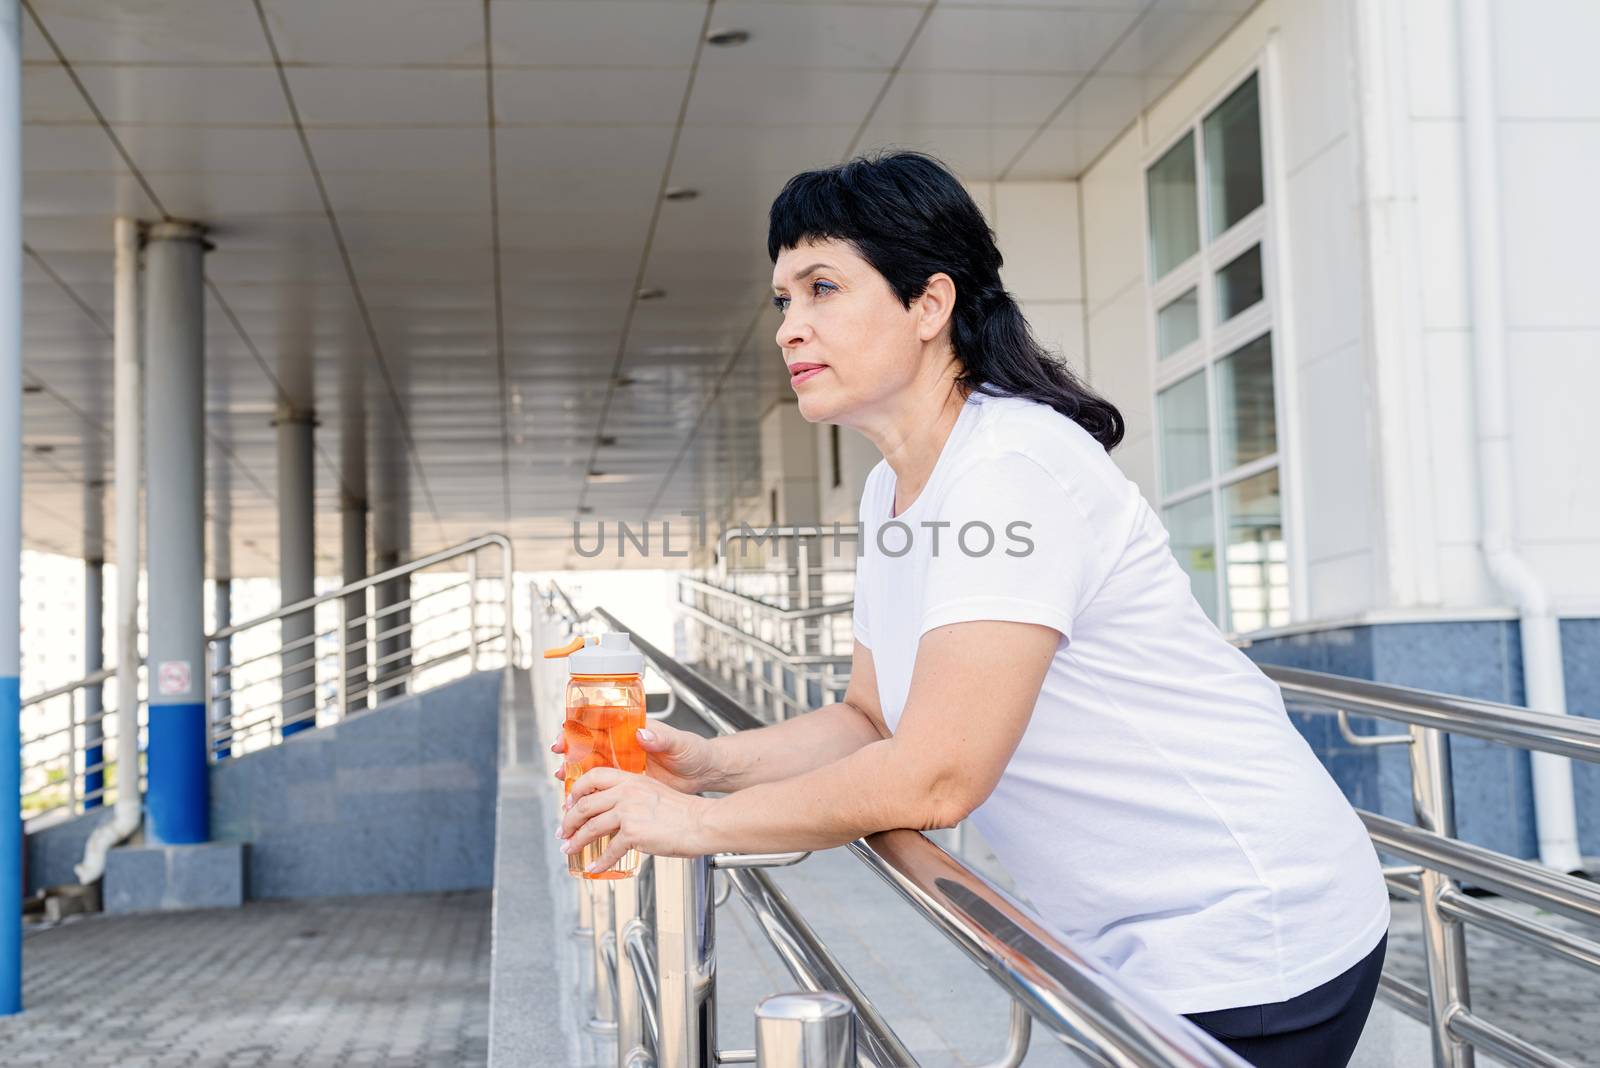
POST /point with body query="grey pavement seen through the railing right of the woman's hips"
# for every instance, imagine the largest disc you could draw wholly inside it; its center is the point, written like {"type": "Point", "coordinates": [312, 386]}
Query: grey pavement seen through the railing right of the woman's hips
{"type": "Point", "coordinates": [1529, 994]}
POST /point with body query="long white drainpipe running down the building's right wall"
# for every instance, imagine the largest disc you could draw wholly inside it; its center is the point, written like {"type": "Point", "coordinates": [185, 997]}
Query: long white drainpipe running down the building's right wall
{"type": "Point", "coordinates": [1542, 639]}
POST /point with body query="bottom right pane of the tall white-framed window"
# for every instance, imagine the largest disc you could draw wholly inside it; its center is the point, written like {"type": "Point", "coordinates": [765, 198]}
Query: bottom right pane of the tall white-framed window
{"type": "Point", "coordinates": [1258, 583]}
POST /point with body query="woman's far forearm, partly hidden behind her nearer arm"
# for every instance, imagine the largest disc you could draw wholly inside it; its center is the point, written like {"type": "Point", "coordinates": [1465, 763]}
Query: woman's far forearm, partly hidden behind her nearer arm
{"type": "Point", "coordinates": [790, 749]}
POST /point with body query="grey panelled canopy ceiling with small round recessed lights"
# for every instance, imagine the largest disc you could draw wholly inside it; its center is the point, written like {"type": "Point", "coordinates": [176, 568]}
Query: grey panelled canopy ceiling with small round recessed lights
{"type": "Point", "coordinates": [436, 237]}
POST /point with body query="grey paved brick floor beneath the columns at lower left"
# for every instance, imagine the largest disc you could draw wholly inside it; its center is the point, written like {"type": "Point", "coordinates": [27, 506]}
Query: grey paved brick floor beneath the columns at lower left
{"type": "Point", "coordinates": [338, 982]}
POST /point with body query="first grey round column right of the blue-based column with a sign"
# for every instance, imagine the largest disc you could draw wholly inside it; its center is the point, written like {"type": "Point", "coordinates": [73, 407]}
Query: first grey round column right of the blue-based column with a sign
{"type": "Point", "coordinates": [297, 565]}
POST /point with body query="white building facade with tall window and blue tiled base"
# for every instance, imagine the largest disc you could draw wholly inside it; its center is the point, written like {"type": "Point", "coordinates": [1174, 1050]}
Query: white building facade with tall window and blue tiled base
{"type": "Point", "coordinates": [1343, 308]}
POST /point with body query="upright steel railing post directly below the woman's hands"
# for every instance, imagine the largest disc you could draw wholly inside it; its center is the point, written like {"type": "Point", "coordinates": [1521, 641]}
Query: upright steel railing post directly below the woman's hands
{"type": "Point", "coordinates": [687, 963]}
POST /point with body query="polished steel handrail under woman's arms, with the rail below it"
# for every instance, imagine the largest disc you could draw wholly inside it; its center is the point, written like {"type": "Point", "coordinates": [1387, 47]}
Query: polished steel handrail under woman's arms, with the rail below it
{"type": "Point", "coordinates": [1066, 990]}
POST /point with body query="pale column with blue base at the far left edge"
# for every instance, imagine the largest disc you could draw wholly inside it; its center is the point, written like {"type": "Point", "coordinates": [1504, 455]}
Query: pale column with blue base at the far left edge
{"type": "Point", "coordinates": [10, 508]}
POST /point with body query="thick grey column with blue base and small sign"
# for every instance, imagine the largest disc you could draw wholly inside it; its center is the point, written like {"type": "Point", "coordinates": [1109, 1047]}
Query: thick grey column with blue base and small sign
{"type": "Point", "coordinates": [177, 797]}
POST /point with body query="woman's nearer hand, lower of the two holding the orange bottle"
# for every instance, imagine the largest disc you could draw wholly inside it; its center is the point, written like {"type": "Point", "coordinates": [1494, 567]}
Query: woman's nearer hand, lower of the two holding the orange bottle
{"type": "Point", "coordinates": [642, 815]}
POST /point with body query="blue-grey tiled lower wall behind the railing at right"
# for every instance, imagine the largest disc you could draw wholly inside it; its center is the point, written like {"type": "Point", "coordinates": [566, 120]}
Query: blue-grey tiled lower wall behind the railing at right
{"type": "Point", "coordinates": [1474, 660]}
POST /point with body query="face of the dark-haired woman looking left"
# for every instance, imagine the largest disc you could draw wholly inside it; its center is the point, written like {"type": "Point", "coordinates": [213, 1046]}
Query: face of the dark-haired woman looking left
{"type": "Point", "coordinates": [847, 340]}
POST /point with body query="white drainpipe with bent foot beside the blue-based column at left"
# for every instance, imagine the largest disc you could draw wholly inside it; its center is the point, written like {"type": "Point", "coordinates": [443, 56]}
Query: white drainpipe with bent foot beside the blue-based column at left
{"type": "Point", "coordinates": [129, 436]}
